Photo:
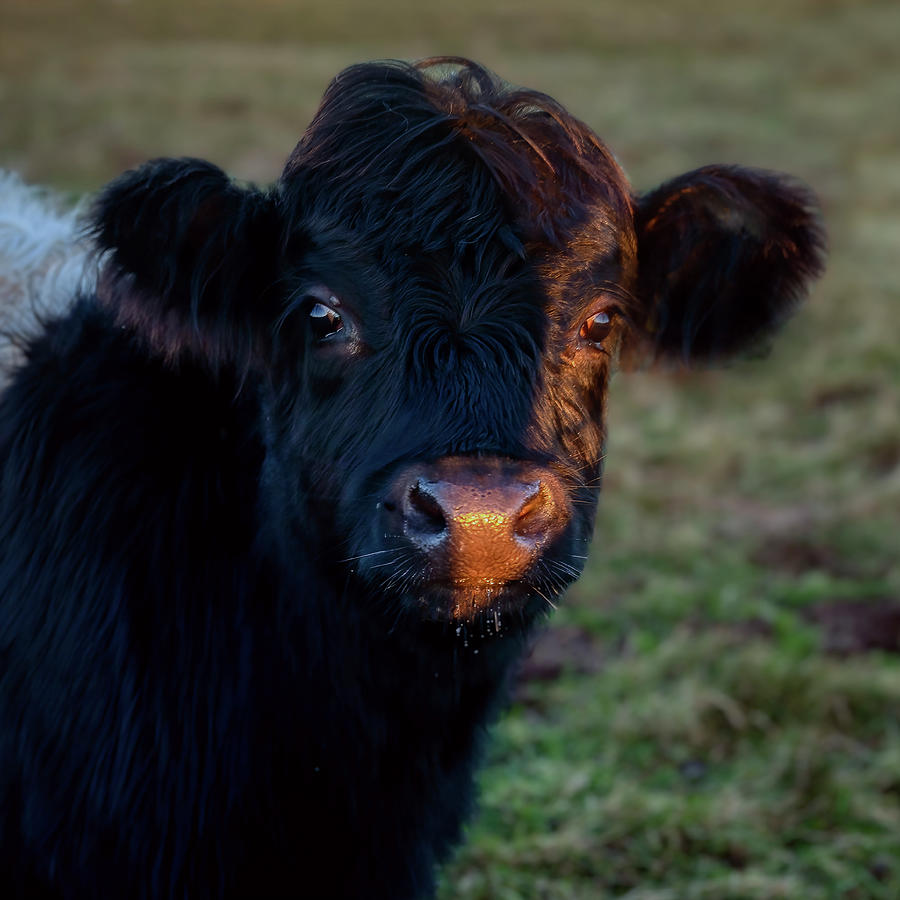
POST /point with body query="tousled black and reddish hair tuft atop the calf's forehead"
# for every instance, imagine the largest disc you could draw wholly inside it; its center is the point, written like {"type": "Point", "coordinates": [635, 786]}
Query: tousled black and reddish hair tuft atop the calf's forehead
{"type": "Point", "coordinates": [394, 142]}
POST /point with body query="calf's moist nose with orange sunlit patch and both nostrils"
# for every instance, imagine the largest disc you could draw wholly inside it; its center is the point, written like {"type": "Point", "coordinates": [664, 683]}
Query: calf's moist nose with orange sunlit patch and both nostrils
{"type": "Point", "coordinates": [480, 521]}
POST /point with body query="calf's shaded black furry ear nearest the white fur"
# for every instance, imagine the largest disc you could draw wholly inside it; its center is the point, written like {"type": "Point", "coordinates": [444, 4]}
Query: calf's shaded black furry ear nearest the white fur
{"type": "Point", "coordinates": [192, 258]}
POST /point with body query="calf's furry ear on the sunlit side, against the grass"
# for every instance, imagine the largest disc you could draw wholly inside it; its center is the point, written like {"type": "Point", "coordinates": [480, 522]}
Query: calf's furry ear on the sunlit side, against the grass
{"type": "Point", "coordinates": [724, 255]}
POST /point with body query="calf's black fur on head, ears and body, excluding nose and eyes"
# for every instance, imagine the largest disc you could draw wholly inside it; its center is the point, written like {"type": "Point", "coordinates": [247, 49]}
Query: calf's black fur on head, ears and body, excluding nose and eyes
{"type": "Point", "coordinates": [218, 677]}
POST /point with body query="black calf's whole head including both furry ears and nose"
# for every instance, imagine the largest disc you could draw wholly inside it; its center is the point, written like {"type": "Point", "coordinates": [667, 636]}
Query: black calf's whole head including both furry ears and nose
{"type": "Point", "coordinates": [430, 302]}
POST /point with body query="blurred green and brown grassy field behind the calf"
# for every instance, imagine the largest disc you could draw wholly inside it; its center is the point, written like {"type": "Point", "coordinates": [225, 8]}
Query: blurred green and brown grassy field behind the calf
{"type": "Point", "coordinates": [715, 712]}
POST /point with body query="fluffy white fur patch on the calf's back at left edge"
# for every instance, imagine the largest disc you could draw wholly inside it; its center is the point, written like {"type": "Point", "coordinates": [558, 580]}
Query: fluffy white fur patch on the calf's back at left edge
{"type": "Point", "coordinates": [45, 262]}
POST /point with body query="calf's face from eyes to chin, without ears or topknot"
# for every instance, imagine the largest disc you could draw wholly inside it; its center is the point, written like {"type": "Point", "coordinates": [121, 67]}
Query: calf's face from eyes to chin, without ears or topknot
{"type": "Point", "coordinates": [449, 436]}
